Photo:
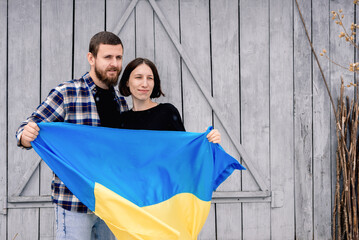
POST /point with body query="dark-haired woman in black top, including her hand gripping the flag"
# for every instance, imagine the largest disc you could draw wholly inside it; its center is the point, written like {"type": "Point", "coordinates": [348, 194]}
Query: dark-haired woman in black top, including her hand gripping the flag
{"type": "Point", "coordinates": [140, 79]}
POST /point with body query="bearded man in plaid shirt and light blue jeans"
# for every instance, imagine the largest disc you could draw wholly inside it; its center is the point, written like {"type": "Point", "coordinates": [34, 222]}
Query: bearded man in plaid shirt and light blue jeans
{"type": "Point", "coordinates": [90, 100]}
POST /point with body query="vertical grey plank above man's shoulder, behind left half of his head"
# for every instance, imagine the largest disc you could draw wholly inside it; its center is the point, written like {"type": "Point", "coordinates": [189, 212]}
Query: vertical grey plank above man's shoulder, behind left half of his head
{"type": "Point", "coordinates": [90, 19]}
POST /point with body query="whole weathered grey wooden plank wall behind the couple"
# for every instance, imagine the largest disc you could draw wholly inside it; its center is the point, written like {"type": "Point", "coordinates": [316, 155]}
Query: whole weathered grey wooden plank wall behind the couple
{"type": "Point", "coordinates": [244, 66]}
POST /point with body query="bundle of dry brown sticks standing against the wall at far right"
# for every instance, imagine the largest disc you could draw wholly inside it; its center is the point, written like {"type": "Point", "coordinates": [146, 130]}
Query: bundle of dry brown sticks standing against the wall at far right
{"type": "Point", "coordinates": [345, 210]}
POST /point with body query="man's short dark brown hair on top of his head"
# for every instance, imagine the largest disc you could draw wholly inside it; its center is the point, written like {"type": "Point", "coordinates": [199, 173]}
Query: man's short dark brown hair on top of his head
{"type": "Point", "coordinates": [103, 38]}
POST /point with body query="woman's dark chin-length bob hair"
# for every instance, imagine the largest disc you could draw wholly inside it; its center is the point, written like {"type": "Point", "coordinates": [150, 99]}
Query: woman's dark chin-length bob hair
{"type": "Point", "coordinates": [125, 91]}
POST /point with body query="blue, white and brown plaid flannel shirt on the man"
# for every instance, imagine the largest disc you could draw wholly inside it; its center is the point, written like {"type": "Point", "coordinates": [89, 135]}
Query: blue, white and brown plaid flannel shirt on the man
{"type": "Point", "coordinates": [71, 102]}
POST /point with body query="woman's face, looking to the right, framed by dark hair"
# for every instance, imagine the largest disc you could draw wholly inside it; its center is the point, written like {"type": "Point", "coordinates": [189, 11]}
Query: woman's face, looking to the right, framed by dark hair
{"type": "Point", "coordinates": [141, 82]}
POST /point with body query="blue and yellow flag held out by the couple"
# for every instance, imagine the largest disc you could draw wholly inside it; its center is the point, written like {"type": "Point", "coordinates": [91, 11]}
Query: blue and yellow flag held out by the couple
{"type": "Point", "coordinates": [143, 184]}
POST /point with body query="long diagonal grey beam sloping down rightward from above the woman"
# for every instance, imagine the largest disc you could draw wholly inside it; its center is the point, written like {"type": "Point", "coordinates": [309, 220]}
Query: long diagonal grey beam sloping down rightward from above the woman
{"type": "Point", "coordinates": [216, 108]}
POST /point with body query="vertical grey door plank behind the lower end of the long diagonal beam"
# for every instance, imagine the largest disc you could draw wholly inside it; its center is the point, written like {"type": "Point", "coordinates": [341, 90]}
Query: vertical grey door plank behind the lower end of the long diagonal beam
{"type": "Point", "coordinates": [254, 59]}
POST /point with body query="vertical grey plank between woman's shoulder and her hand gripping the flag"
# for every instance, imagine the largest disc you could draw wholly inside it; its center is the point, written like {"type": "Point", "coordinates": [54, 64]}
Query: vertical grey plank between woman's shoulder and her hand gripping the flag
{"type": "Point", "coordinates": [197, 114]}
